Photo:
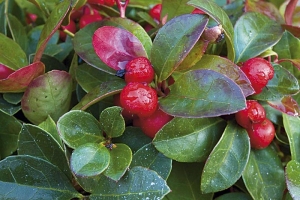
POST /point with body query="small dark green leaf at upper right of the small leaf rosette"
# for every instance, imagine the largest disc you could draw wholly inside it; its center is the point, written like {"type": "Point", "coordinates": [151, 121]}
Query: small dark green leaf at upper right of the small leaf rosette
{"type": "Point", "coordinates": [112, 121]}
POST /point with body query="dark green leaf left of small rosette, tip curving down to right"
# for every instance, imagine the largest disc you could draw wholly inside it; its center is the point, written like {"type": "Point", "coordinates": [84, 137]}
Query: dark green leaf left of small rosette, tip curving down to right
{"type": "Point", "coordinates": [36, 142]}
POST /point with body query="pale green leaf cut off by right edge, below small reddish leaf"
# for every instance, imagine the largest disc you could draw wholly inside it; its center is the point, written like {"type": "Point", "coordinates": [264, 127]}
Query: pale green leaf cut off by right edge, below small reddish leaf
{"type": "Point", "coordinates": [292, 129]}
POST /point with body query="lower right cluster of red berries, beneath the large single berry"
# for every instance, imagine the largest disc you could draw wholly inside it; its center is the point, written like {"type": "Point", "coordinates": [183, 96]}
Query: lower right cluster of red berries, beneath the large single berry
{"type": "Point", "coordinates": [260, 129]}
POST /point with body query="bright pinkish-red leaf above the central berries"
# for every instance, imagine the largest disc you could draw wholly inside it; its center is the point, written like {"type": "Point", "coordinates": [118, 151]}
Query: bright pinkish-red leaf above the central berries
{"type": "Point", "coordinates": [116, 46]}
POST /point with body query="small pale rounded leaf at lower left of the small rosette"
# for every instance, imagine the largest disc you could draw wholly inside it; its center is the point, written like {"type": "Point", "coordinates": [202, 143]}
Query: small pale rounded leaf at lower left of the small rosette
{"type": "Point", "coordinates": [89, 159]}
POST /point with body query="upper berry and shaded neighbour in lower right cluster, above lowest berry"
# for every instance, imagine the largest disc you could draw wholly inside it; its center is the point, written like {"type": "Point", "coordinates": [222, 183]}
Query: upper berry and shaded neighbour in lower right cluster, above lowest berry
{"type": "Point", "coordinates": [253, 113]}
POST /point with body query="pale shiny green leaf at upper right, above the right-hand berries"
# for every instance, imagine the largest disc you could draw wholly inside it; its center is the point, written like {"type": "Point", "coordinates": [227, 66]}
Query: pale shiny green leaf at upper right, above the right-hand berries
{"type": "Point", "coordinates": [254, 34]}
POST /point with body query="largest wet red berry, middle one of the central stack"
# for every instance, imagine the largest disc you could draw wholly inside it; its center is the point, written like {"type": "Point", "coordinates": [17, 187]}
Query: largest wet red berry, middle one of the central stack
{"type": "Point", "coordinates": [139, 99]}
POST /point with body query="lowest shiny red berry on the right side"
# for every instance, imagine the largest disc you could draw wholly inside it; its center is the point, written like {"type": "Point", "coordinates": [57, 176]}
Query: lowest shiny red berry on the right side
{"type": "Point", "coordinates": [261, 134]}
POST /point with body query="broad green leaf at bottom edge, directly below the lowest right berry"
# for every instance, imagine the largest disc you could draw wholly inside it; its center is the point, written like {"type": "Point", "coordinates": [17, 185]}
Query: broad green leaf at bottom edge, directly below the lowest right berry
{"type": "Point", "coordinates": [264, 174]}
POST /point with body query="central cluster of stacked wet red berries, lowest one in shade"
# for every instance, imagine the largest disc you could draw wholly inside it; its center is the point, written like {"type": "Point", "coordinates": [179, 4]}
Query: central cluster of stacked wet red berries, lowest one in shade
{"type": "Point", "coordinates": [139, 100]}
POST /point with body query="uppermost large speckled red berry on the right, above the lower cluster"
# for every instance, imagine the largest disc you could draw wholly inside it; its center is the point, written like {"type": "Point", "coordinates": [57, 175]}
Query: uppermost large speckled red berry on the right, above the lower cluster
{"type": "Point", "coordinates": [259, 71]}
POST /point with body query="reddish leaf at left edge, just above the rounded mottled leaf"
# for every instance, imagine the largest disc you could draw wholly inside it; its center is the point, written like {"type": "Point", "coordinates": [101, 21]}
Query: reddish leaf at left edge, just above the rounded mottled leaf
{"type": "Point", "coordinates": [20, 79]}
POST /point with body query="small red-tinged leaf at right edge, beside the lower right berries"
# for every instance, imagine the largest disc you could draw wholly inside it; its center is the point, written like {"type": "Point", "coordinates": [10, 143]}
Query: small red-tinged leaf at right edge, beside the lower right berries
{"type": "Point", "coordinates": [287, 105]}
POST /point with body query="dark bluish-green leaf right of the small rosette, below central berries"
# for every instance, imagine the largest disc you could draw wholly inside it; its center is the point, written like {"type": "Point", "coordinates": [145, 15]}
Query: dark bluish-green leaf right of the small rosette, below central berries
{"type": "Point", "coordinates": [149, 157]}
